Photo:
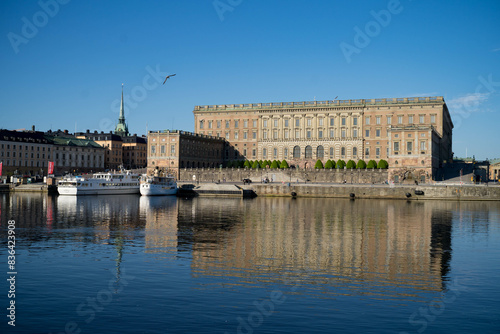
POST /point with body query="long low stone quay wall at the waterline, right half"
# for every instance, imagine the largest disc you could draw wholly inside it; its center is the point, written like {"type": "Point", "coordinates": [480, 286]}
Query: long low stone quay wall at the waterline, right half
{"type": "Point", "coordinates": [420, 192]}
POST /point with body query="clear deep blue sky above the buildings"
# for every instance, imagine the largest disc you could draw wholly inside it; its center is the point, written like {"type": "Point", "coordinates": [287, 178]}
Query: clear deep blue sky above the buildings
{"type": "Point", "coordinates": [63, 63]}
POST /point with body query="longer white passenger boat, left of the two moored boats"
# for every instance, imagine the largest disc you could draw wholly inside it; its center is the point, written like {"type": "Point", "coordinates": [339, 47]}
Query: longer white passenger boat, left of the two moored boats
{"type": "Point", "coordinates": [100, 184]}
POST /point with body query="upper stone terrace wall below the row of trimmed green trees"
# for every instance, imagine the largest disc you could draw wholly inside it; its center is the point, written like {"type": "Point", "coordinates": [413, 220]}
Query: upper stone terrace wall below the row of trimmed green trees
{"type": "Point", "coordinates": [368, 176]}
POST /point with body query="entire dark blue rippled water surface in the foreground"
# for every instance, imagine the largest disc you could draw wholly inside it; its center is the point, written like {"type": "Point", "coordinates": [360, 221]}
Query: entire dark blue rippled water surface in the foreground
{"type": "Point", "coordinates": [130, 264]}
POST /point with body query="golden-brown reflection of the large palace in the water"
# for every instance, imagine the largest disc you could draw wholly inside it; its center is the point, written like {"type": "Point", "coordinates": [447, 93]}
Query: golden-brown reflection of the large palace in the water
{"type": "Point", "coordinates": [401, 243]}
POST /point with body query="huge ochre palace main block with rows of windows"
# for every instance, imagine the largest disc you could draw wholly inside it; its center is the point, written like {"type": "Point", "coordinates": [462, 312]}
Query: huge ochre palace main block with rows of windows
{"type": "Point", "coordinates": [413, 134]}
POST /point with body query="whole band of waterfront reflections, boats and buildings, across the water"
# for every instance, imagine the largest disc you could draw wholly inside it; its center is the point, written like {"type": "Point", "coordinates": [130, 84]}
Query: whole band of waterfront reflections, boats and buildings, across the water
{"type": "Point", "coordinates": [361, 245]}
